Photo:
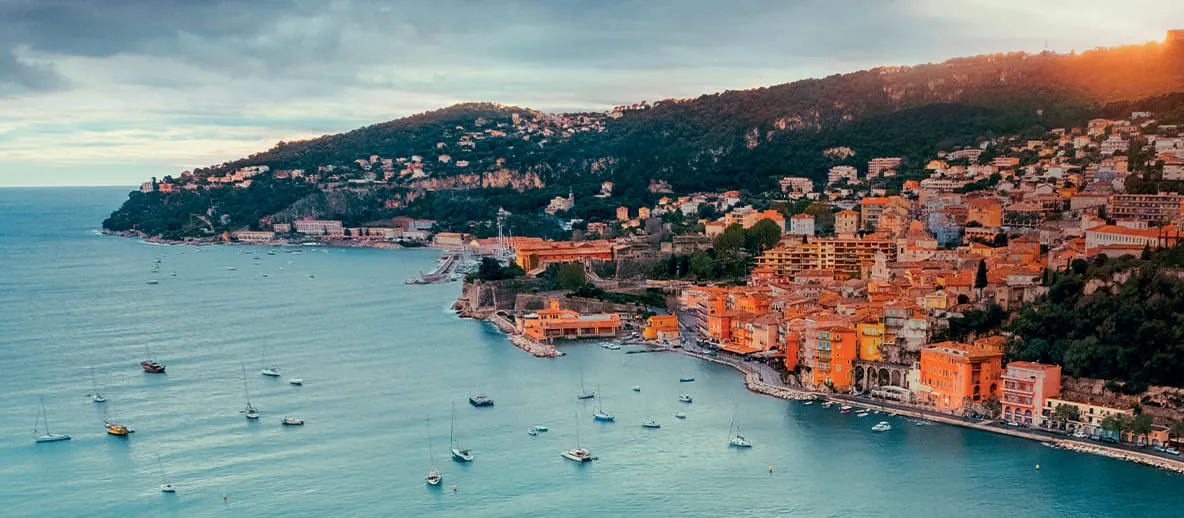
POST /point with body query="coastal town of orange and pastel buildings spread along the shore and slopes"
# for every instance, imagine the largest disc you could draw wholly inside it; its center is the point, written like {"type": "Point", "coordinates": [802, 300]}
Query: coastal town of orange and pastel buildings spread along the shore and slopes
{"type": "Point", "coordinates": [887, 282]}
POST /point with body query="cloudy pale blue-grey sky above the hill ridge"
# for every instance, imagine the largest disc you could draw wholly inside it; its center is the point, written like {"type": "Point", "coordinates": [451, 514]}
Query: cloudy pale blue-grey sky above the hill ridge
{"type": "Point", "coordinates": [98, 93]}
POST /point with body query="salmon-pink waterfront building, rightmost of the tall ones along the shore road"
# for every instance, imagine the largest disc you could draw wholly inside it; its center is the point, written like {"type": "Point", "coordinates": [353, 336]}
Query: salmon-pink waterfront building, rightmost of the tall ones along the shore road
{"type": "Point", "coordinates": [1026, 387]}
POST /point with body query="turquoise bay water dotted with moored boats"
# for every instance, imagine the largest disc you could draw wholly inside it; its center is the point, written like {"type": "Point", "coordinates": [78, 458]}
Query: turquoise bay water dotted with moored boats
{"type": "Point", "coordinates": [379, 359]}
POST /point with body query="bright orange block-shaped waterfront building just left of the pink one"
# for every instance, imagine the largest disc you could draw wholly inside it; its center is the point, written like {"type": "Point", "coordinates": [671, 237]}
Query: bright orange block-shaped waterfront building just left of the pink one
{"type": "Point", "coordinates": [961, 375]}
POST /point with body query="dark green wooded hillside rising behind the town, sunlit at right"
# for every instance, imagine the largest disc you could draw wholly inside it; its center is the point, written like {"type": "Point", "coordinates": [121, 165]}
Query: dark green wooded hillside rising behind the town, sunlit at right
{"type": "Point", "coordinates": [468, 160]}
